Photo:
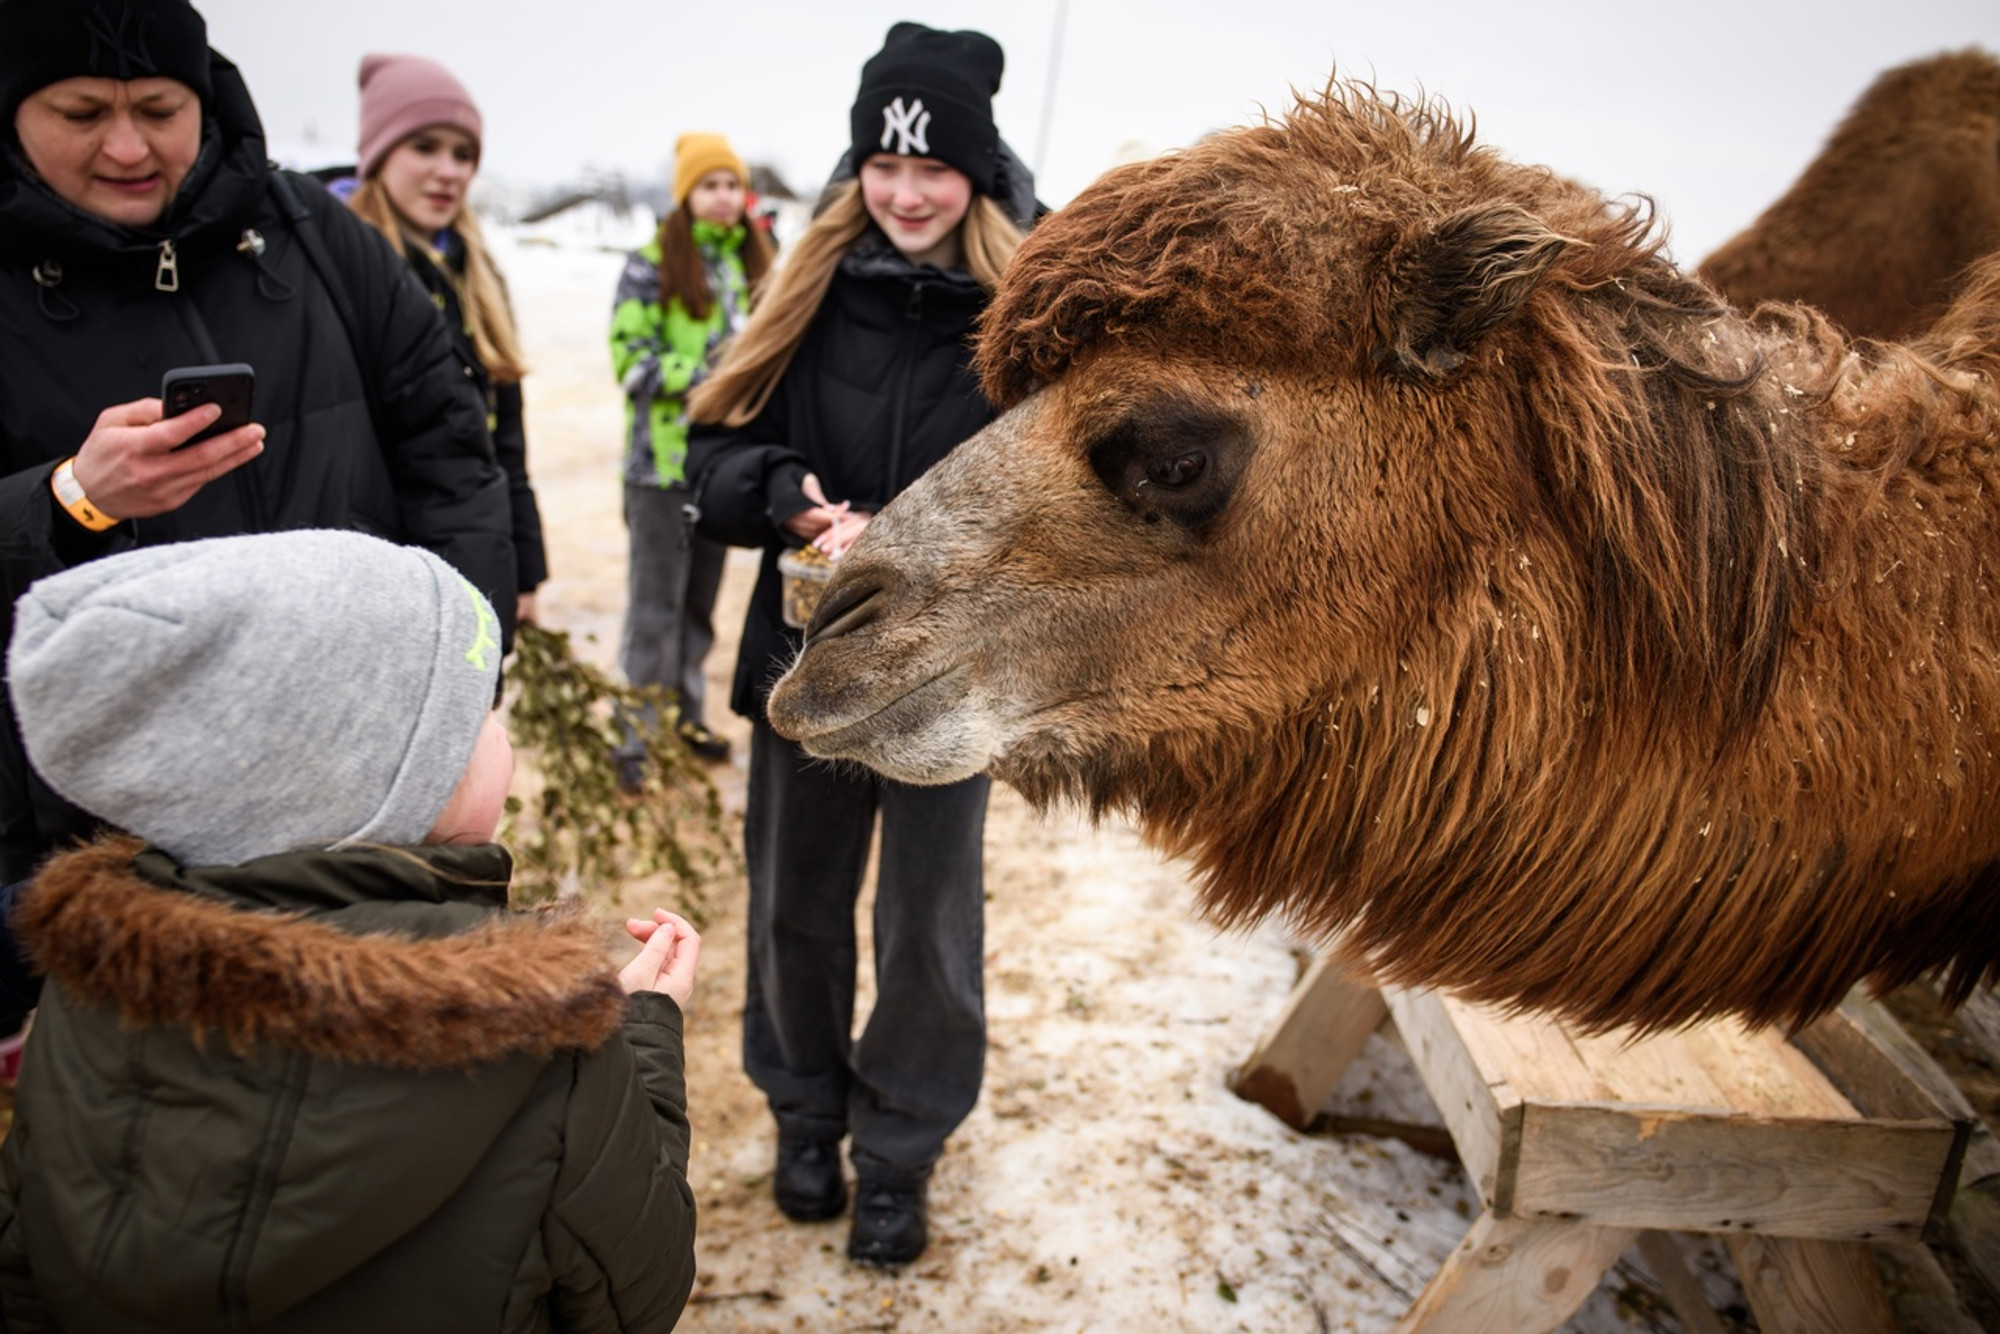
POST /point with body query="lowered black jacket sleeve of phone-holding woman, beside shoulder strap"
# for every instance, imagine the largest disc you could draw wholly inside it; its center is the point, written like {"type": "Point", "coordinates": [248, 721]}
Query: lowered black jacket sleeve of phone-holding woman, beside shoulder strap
{"type": "Point", "coordinates": [451, 491]}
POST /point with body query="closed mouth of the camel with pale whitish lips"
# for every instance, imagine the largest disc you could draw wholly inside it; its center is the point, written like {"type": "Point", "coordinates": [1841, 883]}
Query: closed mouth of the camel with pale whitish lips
{"type": "Point", "coordinates": [917, 735]}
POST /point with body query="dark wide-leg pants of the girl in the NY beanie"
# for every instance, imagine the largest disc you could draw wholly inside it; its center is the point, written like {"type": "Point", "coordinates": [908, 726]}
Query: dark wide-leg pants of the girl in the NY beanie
{"type": "Point", "coordinates": [915, 1071]}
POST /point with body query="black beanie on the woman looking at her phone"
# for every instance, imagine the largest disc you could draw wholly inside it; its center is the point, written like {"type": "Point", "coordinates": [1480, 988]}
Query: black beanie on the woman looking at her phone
{"type": "Point", "coordinates": [49, 41]}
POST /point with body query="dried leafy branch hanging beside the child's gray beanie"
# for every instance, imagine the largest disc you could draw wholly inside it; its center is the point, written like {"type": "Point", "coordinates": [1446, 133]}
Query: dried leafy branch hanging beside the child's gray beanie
{"type": "Point", "coordinates": [571, 825]}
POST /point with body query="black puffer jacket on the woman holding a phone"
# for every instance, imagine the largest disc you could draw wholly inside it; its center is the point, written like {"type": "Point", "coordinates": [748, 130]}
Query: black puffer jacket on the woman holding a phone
{"type": "Point", "coordinates": [87, 325]}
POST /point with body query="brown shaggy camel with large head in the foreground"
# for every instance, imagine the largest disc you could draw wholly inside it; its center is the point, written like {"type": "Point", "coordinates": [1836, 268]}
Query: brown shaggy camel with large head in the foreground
{"type": "Point", "coordinates": [1397, 535]}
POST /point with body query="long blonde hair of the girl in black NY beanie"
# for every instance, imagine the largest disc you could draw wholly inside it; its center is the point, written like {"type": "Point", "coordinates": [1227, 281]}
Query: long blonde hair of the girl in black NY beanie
{"type": "Point", "coordinates": [759, 355]}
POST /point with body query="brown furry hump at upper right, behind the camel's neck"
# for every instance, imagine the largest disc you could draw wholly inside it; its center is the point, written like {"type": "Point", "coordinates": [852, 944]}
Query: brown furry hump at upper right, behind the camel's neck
{"type": "Point", "coordinates": [1883, 225]}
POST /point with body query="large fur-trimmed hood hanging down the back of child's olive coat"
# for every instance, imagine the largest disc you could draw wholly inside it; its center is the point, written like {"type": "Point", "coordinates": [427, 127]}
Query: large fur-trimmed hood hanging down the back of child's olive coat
{"type": "Point", "coordinates": [261, 1077]}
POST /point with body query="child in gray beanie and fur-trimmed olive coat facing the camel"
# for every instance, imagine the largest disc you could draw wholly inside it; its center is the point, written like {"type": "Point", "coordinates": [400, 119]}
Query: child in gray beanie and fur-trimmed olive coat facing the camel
{"type": "Point", "coordinates": [297, 1065]}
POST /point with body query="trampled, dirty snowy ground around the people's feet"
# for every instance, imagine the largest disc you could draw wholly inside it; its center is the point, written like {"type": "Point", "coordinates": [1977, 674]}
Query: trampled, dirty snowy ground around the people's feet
{"type": "Point", "coordinates": [1107, 1181]}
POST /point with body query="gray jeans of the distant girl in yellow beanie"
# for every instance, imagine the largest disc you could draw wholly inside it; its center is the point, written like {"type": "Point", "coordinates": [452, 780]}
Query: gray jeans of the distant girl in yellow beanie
{"type": "Point", "coordinates": [671, 597]}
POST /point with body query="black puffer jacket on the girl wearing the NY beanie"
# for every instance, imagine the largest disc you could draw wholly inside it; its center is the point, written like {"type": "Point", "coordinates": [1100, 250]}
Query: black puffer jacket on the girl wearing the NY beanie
{"type": "Point", "coordinates": [879, 391]}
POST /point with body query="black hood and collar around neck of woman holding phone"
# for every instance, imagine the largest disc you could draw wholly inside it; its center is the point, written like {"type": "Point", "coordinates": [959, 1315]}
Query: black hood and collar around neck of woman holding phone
{"type": "Point", "coordinates": [223, 187]}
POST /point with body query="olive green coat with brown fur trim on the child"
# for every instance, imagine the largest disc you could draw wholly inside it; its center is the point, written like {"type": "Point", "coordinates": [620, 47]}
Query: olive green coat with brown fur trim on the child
{"type": "Point", "coordinates": [337, 1091]}
